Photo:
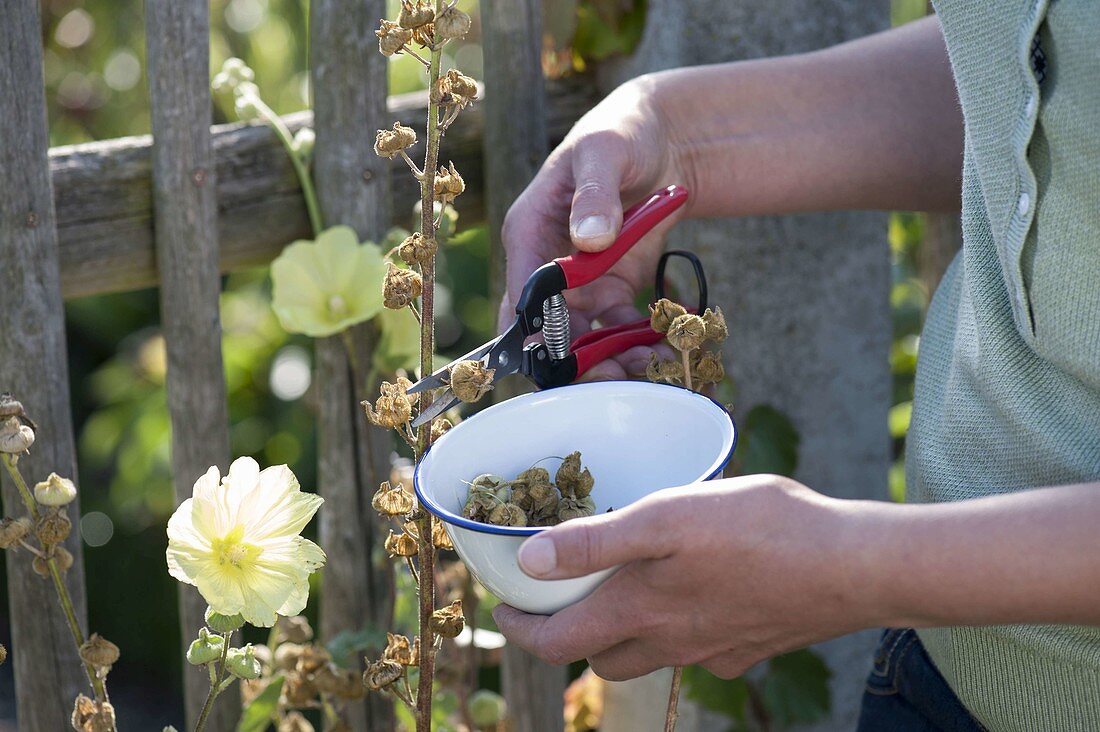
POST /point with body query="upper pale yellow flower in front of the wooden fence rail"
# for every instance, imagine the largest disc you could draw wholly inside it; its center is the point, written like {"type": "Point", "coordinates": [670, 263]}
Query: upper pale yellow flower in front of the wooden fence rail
{"type": "Point", "coordinates": [322, 288]}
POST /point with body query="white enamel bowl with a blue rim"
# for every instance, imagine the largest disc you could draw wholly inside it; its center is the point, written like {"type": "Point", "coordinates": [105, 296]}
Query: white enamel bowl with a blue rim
{"type": "Point", "coordinates": [636, 438]}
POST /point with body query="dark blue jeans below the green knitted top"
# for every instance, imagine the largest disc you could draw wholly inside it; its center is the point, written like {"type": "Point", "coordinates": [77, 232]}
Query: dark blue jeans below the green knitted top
{"type": "Point", "coordinates": [906, 693]}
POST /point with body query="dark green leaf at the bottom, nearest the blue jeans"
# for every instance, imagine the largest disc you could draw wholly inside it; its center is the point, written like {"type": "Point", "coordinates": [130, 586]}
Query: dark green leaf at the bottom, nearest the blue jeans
{"type": "Point", "coordinates": [796, 690]}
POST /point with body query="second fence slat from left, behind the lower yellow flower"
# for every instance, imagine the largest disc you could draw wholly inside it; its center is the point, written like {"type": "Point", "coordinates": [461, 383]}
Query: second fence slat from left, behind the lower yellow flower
{"type": "Point", "coordinates": [185, 213]}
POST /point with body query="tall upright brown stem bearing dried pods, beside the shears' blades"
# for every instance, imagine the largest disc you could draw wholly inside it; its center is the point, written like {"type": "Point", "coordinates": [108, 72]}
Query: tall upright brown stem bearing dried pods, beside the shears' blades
{"type": "Point", "coordinates": [427, 551]}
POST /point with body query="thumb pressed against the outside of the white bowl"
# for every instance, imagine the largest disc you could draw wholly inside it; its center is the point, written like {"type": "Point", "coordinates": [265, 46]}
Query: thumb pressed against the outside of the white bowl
{"type": "Point", "coordinates": [582, 547]}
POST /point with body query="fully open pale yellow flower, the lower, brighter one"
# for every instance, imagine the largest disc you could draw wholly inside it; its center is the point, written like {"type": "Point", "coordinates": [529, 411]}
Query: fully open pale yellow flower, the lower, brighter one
{"type": "Point", "coordinates": [238, 540]}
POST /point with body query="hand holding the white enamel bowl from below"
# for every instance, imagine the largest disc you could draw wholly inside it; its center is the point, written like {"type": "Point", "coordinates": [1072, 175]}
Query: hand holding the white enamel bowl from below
{"type": "Point", "coordinates": [724, 574]}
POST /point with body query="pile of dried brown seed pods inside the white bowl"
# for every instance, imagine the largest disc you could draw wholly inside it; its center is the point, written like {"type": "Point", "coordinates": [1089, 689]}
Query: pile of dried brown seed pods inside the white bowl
{"type": "Point", "coordinates": [532, 498]}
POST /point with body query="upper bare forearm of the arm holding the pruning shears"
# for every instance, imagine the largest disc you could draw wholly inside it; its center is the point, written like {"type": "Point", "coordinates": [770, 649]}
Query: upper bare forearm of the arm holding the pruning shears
{"type": "Point", "coordinates": [873, 124]}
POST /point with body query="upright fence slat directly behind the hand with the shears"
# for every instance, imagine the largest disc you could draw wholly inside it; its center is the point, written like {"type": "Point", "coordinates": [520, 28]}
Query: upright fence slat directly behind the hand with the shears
{"type": "Point", "coordinates": [516, 128]}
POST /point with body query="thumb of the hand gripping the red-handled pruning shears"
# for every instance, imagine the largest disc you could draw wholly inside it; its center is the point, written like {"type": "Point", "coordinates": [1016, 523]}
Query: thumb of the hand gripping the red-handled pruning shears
{"type": "Point", "coordinates": [597, 214]}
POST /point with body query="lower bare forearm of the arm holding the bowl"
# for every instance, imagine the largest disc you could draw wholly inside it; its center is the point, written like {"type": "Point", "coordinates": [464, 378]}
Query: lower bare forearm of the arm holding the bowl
{"type": "Point", "coordinates": [1027, 558]}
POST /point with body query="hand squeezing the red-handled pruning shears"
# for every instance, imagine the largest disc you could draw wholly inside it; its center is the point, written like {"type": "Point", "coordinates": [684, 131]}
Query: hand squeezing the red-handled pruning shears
{"type": "Point", "coordinates": [617, 154]}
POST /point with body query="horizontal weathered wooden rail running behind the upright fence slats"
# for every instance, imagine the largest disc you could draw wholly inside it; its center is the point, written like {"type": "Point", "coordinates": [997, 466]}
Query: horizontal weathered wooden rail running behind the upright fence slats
{"type": "Point", "coordinates": [105, 201]}
